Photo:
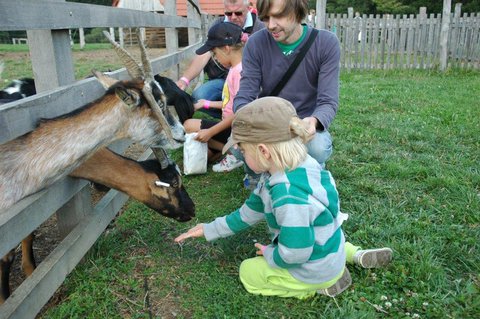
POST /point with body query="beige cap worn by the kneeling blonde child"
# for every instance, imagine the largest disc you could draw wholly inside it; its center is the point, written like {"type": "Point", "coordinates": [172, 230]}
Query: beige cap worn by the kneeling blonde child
{"type": "Point", "coordinates": [265, 120]}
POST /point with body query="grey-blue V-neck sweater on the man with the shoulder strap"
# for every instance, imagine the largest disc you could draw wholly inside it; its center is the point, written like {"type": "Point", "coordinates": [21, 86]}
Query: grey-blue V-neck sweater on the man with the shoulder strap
{"type": "Point", "coordinates": [313, 87]}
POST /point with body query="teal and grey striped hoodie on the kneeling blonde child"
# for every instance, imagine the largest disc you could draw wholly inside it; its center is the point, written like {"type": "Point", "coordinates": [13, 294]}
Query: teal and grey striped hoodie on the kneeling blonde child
{"type": "Point", "coordinates": [302, 211]}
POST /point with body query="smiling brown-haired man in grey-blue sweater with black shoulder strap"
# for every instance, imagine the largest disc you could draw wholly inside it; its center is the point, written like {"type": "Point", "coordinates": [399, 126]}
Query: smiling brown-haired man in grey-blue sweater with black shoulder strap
{"type": "Point", "coordinates": [313, 87]}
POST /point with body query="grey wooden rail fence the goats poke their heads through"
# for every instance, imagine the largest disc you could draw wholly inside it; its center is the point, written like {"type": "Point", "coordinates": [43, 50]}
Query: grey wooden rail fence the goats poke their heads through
{"type": "Point", "coordinates": [47, 23]}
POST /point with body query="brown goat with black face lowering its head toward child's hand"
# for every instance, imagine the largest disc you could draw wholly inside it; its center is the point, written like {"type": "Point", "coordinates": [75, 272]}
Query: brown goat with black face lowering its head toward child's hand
{"type": "Point", "coordinates": [136, 179]}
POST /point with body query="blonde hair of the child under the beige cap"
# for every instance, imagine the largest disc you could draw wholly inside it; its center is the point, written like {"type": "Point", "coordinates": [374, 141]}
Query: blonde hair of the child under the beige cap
{"type": "Point", "coordinates": [285, 155]}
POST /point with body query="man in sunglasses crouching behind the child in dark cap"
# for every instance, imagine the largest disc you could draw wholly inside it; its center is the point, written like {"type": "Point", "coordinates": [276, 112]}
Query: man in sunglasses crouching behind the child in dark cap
{"type": "Point", "coordinates": [237, 12]}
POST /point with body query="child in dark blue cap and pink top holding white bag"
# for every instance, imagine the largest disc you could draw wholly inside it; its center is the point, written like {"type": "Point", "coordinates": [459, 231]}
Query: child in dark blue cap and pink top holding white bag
{"type": "Point", "coordinates": [225, 43]}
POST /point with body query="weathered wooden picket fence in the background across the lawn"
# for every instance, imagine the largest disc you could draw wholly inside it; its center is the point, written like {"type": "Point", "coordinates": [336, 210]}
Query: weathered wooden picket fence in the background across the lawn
{"type": "Point", "coordinates": [405, 42]}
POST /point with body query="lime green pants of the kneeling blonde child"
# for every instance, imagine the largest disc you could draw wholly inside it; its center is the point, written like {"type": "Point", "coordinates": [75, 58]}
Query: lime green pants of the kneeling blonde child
{"type": "Point", "coordinates": [259, 278]}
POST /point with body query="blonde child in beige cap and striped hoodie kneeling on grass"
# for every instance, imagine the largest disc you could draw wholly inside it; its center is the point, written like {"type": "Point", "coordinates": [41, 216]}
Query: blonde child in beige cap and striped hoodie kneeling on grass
{"type": "Point", "coordinates": [300, 203]}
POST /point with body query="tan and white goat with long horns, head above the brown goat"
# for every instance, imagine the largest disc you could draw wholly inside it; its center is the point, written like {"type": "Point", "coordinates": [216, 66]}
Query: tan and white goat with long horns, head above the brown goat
{"type": "Point", "coordinates": [133, 109]}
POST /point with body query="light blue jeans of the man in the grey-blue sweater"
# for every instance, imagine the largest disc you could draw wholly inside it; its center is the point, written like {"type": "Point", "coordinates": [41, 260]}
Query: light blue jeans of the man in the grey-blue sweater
{"type": "Point", "coordinates": [320, 148]}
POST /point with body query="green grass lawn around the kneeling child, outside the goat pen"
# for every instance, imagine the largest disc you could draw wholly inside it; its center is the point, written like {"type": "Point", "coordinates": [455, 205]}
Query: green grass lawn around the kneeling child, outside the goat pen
{"type": "Point", "coordinates": [406, 163]}
